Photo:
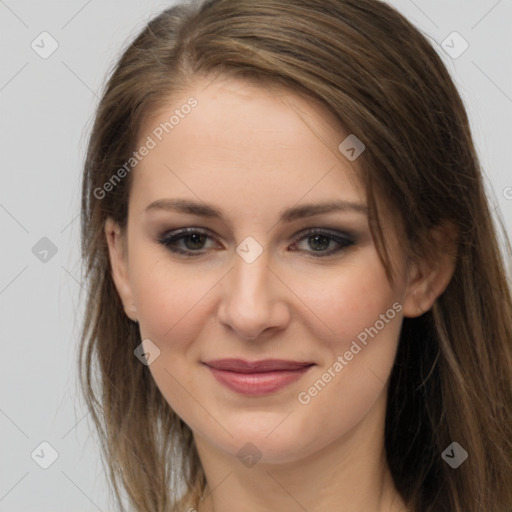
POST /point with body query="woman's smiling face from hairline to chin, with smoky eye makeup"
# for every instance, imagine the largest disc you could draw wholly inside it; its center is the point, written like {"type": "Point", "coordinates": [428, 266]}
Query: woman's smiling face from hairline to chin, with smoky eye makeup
{"type": "Point", "coordinates": [264, 273]}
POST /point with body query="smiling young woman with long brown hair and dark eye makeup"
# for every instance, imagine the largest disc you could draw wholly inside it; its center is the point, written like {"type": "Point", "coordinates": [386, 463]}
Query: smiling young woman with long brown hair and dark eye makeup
{"type": "Point", "coordinates": [297, 298]}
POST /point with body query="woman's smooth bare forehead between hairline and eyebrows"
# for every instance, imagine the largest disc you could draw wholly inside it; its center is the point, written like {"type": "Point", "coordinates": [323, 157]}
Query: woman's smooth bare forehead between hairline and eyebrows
{"type": "Point", "coordinates": [244, 138]}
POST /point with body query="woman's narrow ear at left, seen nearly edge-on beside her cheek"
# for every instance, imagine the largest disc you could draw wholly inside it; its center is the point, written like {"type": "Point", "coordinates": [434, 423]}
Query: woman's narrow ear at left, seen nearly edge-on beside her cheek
{"type": "Point", "coordinates": [118, 261]}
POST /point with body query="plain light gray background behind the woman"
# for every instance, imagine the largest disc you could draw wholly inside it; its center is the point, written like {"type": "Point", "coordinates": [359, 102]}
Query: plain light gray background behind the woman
{"type": "Point", "coordinates": [47, 107]}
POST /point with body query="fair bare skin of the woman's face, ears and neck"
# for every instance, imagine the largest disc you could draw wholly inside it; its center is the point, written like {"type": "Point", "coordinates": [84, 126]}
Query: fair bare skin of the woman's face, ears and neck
{"type": "Point", "coordinates": [251, 152]}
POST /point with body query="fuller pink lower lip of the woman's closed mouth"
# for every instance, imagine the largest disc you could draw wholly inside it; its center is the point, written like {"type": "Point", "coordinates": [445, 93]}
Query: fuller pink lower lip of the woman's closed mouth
{"type": "Point", "coordinates": [257, 383]}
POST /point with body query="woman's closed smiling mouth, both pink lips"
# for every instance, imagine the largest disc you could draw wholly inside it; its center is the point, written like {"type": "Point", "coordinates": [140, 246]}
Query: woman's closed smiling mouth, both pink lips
{"type": "Point", "coordinates": [258, 377]}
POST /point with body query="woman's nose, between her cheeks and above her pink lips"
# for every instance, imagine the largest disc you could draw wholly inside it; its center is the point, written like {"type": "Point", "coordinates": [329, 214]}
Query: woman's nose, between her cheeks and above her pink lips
{"type": "Point", "coordinates": [253, 299]}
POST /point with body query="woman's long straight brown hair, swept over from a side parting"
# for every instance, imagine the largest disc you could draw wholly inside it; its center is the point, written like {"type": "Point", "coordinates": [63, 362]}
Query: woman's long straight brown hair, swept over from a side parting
{"type": "Point", "coordinates": [383, 80]}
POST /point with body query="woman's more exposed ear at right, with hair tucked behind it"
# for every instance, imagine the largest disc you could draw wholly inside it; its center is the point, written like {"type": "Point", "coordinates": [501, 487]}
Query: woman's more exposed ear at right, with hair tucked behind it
{"type": "Point", "coordinates": [429, 277]}
